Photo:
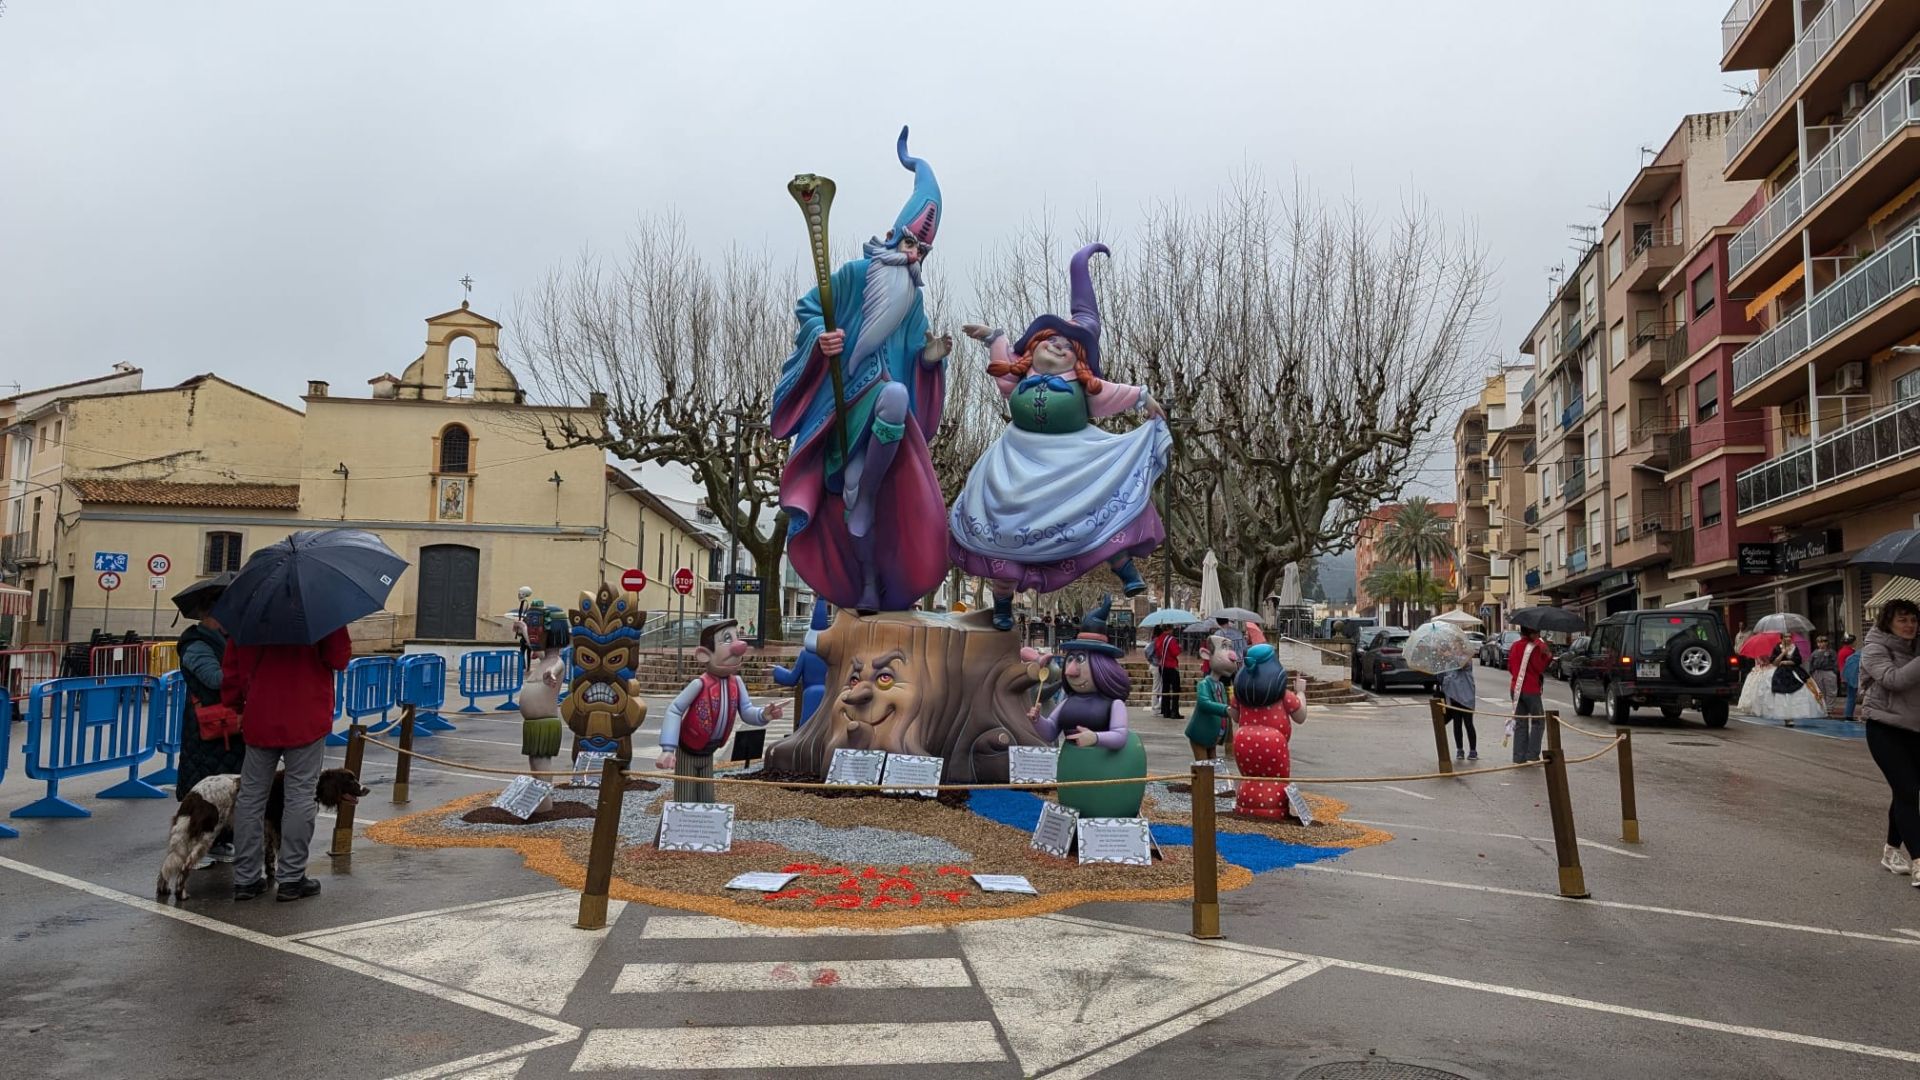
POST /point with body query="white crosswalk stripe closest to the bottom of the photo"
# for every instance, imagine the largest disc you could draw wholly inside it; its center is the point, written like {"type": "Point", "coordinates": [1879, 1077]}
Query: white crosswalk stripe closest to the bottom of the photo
{"type": "Point", "coordinates": [790, 1046]}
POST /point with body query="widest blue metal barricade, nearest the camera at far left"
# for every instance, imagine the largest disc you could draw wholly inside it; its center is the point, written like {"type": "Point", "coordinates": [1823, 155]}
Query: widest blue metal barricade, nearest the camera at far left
{"type": "Point", "coordinates": [89, 725]}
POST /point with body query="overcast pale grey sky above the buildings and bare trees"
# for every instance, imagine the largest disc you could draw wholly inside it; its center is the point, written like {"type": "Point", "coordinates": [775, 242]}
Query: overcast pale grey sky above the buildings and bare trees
{"type": "Point", "coordinates": [283, 191]}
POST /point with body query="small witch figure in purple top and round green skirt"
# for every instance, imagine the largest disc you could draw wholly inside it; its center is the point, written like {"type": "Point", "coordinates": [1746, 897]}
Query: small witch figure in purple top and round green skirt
{"type": "Point", "coordinates": [1092, 720]}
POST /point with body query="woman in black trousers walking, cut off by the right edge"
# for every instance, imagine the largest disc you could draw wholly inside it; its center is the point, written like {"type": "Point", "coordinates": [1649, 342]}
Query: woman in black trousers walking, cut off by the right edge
{"type": "Point", "coordinates": [1890, 702]}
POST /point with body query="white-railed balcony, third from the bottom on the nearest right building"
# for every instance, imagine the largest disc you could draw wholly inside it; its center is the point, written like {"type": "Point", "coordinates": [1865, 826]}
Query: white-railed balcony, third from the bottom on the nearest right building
{"type": "Point", "coordinates": [1860, 170]}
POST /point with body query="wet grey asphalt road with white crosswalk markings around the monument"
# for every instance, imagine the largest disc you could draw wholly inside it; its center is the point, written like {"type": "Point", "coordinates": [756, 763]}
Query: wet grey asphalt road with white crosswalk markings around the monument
{"type": "Point", "coordinates": [1752, 935]}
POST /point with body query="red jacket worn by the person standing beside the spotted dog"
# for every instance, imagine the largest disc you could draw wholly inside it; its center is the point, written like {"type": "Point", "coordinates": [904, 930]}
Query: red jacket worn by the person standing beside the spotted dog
{"type": "Point", "coordinates": [285, 695]}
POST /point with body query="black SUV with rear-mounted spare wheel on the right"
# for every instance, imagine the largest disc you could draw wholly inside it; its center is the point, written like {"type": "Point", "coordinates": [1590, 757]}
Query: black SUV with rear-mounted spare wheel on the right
{"type": "Point", "coordinates": [1673, 660]}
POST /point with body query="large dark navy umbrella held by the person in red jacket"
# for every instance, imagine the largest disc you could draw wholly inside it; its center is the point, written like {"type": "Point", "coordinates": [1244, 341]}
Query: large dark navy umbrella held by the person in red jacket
{"type": "Point", "coordinates": [306, 587]}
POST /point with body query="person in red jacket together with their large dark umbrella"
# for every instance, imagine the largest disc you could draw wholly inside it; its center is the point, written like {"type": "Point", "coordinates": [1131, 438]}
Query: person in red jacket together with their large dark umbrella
{"type": "Point", "coordinates": [287, 616]}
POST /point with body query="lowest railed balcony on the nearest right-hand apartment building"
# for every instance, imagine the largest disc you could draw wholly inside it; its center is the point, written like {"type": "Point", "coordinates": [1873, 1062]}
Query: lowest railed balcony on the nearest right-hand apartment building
{"type": "Point", "coordinates": [1856, 466]}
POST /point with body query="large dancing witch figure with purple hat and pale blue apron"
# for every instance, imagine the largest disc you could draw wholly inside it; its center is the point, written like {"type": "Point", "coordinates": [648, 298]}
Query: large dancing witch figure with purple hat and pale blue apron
{"type": "Point", "coordinates": [1057, 497]}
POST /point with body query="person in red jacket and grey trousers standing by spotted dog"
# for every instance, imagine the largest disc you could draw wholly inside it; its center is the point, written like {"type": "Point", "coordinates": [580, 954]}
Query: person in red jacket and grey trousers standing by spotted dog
{"type": "Point", "coordinates": [285, 697]}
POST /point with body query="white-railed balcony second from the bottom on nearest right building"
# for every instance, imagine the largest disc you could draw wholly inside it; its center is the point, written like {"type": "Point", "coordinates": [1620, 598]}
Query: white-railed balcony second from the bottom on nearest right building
{"type": "Point", "coordinates": [1856, 316]}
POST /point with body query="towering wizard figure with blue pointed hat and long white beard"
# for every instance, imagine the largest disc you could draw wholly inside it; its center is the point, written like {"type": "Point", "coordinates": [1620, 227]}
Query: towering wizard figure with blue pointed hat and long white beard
{"type": "Point", "coordinates": [867, 520]}
